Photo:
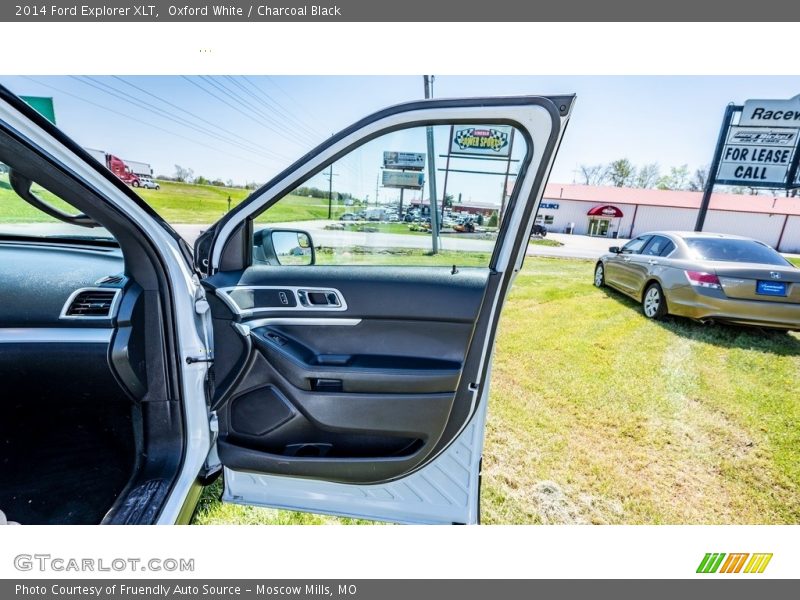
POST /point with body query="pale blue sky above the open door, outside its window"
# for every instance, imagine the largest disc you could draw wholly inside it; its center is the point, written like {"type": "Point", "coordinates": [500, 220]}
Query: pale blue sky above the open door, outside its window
{"type": "Point", "coordinates": [274, 120]}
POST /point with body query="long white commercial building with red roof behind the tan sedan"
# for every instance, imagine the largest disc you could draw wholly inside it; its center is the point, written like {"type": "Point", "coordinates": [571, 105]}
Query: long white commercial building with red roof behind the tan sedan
{"type": "Point", "coordinates": [627, 212]}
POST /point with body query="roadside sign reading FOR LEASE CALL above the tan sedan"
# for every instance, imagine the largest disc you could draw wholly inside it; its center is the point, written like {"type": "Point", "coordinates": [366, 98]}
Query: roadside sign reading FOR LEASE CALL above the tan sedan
{"type": "Point", "coordinates": [761, 150]}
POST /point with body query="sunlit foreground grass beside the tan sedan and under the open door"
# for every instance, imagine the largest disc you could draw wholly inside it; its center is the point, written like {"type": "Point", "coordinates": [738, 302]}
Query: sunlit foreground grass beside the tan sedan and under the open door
{"type": "Point", "coordinates": [598, 415]}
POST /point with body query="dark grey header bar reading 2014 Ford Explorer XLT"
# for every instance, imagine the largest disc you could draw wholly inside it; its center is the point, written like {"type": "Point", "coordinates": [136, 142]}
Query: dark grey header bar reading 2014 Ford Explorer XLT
{"type": "Point", "coordinates": [409, 11]}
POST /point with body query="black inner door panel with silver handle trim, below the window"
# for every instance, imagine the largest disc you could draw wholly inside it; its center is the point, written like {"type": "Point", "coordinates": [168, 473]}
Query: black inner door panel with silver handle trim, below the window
{"type": "Point", "coordinates": [358, 394]}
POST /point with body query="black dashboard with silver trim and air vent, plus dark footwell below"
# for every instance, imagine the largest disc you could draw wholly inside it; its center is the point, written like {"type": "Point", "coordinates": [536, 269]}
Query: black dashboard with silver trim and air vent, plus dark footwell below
{"type": "Point", "coordinates": [68, 426]}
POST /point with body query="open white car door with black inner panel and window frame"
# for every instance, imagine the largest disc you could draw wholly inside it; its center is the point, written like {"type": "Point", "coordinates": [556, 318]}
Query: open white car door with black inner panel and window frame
{"type": "Point", "coordinates": [373, 405]}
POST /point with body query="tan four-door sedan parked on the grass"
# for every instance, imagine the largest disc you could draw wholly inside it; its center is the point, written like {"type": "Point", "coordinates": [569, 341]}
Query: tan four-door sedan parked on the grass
{"type": "Point", "coordinates": [705, 276]}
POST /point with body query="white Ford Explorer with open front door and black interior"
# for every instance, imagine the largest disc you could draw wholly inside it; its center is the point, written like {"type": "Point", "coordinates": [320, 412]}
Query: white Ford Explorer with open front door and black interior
{"type": "Point", "coordinates": [135, 369]}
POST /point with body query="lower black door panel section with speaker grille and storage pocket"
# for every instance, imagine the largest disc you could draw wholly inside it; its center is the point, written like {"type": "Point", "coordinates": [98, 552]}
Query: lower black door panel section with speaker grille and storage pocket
{"type": "Point", "coordinates": [270, 426]}
